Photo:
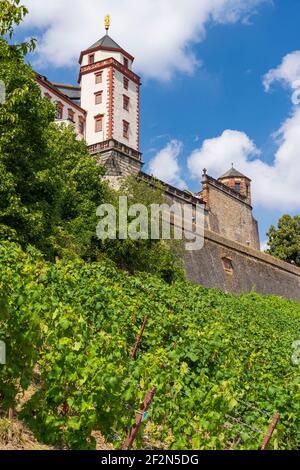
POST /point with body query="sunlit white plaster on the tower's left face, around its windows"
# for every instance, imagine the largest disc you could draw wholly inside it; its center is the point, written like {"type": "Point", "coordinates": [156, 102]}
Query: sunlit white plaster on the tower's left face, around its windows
{"type": "Point", "coordinates": [88, 90]}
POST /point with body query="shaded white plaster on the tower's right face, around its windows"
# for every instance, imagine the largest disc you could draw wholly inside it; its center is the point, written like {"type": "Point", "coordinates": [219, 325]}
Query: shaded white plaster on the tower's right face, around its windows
{"type": "Point", "coordinates": [121, 114]}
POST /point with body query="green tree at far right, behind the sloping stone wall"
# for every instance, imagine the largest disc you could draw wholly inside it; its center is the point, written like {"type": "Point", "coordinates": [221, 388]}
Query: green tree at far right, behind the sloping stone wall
{"type": "Point", "coordinates": [284, 241]}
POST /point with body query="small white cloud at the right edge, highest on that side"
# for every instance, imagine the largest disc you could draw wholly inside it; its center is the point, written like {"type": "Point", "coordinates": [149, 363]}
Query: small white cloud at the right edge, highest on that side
{"type": "Point", "coordinates": [288, 72]}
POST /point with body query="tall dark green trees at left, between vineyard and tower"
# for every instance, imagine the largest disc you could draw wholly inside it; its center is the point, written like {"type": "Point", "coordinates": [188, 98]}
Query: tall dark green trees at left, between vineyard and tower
{"type": "Point", "coordinates": [50, 186]}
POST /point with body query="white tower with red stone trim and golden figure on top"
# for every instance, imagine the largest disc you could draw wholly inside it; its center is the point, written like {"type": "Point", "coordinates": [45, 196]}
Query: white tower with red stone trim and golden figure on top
{"type": "Point", "coordinates": [110, 93]}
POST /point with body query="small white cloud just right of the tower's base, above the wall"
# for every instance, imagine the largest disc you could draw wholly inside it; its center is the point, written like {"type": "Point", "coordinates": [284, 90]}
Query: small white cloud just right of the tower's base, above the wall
{"type": "Point", "coordinates": [165, 165]}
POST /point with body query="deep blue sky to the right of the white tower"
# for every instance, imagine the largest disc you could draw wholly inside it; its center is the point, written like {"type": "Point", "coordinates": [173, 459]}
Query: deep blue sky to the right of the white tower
{"type": "Point", "coordinates": [227, 92]}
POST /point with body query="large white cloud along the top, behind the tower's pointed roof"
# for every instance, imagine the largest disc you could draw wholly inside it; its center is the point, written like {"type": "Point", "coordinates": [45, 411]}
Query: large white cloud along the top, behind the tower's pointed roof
{"type": "Point", "coordinates": [160, 33]}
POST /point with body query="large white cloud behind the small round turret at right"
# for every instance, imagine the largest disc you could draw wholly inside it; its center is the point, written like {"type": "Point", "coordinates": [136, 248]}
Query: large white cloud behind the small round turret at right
{"type": "Point", "coordinates": [275, 185]}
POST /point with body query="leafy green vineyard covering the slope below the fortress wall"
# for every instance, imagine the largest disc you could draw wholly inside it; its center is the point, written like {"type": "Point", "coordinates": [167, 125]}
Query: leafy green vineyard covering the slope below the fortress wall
{"type": "Point", "coordinates": [221, 363]}
